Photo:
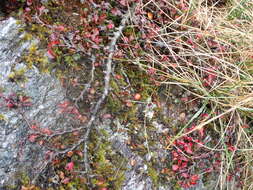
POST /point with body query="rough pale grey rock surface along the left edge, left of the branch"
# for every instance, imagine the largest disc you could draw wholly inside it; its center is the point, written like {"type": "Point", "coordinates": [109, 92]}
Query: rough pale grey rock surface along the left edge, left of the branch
{"type": "Point", "coordinates": [16, 152]}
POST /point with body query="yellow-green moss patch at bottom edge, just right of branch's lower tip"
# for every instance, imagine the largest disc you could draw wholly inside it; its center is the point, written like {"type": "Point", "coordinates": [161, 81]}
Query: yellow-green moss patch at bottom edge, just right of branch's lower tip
{"type": "Point", "coordinates": [106, 164]}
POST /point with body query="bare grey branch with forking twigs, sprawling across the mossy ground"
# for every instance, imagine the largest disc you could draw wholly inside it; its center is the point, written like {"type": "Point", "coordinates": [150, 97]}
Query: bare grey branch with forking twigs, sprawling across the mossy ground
{"type": "Point", "coordinates": [88, 127]}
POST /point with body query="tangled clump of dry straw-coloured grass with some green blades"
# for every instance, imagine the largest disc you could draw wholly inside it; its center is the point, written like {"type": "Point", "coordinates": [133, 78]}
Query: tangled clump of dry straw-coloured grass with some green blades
{"type": "Point", "coordinates": [212, 41]}
